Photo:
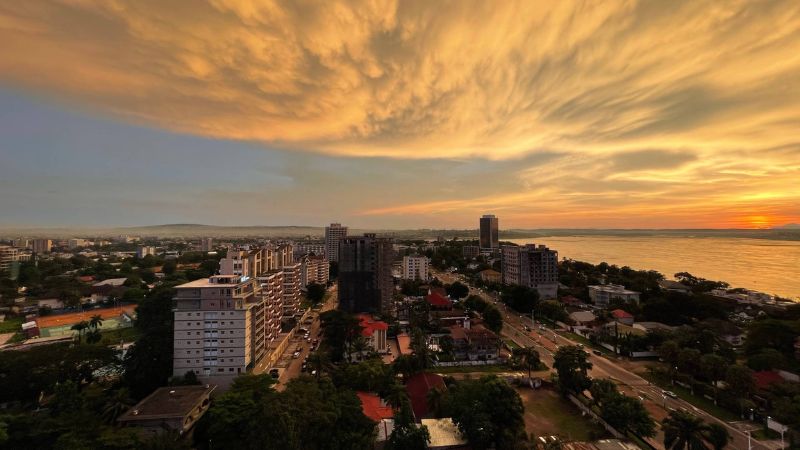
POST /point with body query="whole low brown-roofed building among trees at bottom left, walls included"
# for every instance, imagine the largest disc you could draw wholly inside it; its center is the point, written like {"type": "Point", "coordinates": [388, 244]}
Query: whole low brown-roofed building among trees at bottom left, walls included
{"type": "Point", "coordinates": [173, 408]}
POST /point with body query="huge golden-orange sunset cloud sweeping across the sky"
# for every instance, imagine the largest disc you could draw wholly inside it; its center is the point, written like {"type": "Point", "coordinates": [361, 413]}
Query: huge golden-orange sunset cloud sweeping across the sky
{"type": "Point", "coordinates": [662, 109]}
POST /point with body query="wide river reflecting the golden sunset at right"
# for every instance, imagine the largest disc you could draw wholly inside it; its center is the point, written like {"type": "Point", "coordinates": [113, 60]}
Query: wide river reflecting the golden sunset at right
{"type": "Point", "coordinates": [770, 266]}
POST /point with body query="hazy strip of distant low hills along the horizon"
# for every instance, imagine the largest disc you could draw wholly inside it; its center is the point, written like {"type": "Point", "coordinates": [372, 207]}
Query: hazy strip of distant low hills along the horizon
{"type": "Point", "coordinates": [194, 231]}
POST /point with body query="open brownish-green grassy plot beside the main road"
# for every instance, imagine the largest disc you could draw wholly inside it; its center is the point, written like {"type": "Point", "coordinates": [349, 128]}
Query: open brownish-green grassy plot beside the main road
{"type": "Point", "coordinates": [548, 414]}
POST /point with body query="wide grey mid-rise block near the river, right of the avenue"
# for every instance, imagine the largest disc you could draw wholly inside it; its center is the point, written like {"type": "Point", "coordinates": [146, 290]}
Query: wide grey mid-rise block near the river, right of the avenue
{"type": "Point", "coordinates": [532, 266]}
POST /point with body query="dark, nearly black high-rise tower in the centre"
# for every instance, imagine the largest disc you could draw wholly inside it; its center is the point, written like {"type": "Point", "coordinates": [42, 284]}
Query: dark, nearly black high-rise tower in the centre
{"type": "Point", "coordinates": [365, 274]}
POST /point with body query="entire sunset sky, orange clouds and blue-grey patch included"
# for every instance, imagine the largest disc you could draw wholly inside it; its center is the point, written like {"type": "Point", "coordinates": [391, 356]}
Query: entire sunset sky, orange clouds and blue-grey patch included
{"type": "Point", "coordinates": [400, 114]}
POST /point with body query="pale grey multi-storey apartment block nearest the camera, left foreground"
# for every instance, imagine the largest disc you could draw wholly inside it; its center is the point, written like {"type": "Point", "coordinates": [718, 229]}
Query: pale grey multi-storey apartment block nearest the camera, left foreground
{"type": "Point", "coordinates": [219, 327]}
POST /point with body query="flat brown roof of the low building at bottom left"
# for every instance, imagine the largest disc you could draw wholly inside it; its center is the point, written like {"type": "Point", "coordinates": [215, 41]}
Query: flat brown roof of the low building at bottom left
{"type": "Point", "coordinates": [168, 402]}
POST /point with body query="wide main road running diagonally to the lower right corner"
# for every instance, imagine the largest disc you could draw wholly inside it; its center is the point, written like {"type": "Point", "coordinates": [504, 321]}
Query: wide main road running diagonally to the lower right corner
{"type": "Point", "coordinates": [546, 342]}
